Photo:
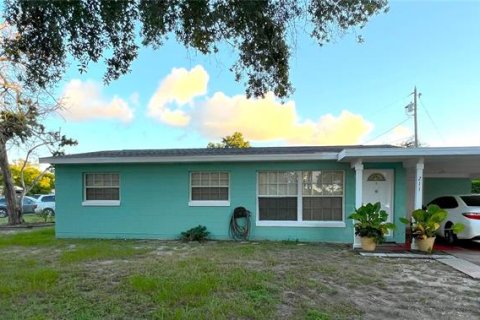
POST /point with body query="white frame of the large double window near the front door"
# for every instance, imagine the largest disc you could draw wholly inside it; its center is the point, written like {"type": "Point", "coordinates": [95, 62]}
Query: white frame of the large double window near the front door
{"type": "Point", "coordinates": [299, 222]}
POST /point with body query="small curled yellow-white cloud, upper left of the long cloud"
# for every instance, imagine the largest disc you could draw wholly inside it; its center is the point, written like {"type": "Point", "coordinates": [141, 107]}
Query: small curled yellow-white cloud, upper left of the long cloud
{"type": "Point", "coordinates": [178, 88]}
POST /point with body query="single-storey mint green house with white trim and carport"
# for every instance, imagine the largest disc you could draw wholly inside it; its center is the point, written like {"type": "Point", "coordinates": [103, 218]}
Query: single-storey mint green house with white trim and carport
{"type": "Point", "coordinates": [303, 193]}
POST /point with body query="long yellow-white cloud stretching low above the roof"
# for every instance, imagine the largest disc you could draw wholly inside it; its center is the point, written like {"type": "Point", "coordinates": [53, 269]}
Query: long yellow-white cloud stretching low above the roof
{"type": "Point", "coordinates": [266, 119]}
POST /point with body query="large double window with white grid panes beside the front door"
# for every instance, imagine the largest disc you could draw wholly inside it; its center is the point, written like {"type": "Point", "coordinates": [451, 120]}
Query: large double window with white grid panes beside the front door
{"type": "Point", "coordinates": [303, 198]}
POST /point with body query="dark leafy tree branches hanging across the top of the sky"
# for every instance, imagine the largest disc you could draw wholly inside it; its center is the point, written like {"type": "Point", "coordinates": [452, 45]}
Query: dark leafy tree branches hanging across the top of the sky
{"type": "Point", "coordinates": [262, 33]}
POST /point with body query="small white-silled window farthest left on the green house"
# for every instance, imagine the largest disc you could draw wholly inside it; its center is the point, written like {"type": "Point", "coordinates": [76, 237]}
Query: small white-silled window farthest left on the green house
{"type": "Point", "coordinates": [102, 188]}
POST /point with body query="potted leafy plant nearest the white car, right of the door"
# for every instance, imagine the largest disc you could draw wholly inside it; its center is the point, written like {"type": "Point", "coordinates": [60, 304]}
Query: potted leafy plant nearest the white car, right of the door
{"type": "Point", "coordinates": [425, 225]}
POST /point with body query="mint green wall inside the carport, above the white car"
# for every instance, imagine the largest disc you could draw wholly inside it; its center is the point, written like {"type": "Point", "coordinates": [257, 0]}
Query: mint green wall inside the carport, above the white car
{"type": "Point", "coordinates": [436, 187]}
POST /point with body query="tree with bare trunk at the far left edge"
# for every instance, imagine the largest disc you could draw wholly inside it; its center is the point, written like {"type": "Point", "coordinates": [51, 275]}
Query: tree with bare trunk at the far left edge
{"type": "Point", "coordinates": [23, 105]}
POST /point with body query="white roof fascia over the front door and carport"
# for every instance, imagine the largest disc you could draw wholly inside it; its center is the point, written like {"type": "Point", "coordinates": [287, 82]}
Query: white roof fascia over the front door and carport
{"type": "Point", "coordinates": [403, 153]}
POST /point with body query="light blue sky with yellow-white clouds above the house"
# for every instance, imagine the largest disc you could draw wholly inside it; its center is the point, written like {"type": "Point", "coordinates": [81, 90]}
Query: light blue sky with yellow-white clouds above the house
{"type": "Point", "coordinates": [345, 92]}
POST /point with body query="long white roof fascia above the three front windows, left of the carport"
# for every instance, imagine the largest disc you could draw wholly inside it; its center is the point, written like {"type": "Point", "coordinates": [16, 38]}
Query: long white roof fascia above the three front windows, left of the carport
{"type": "Point", "coordinates": [197, 158]}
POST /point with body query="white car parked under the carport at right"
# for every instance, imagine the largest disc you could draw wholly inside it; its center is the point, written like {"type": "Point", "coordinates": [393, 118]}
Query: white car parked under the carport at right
{"type": "Point", "coordinates": [464, 209]}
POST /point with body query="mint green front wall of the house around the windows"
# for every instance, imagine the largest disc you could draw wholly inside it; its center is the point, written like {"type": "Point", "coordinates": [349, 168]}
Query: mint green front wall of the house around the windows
{"type": "Point", "coordinates": [154, 202]}
